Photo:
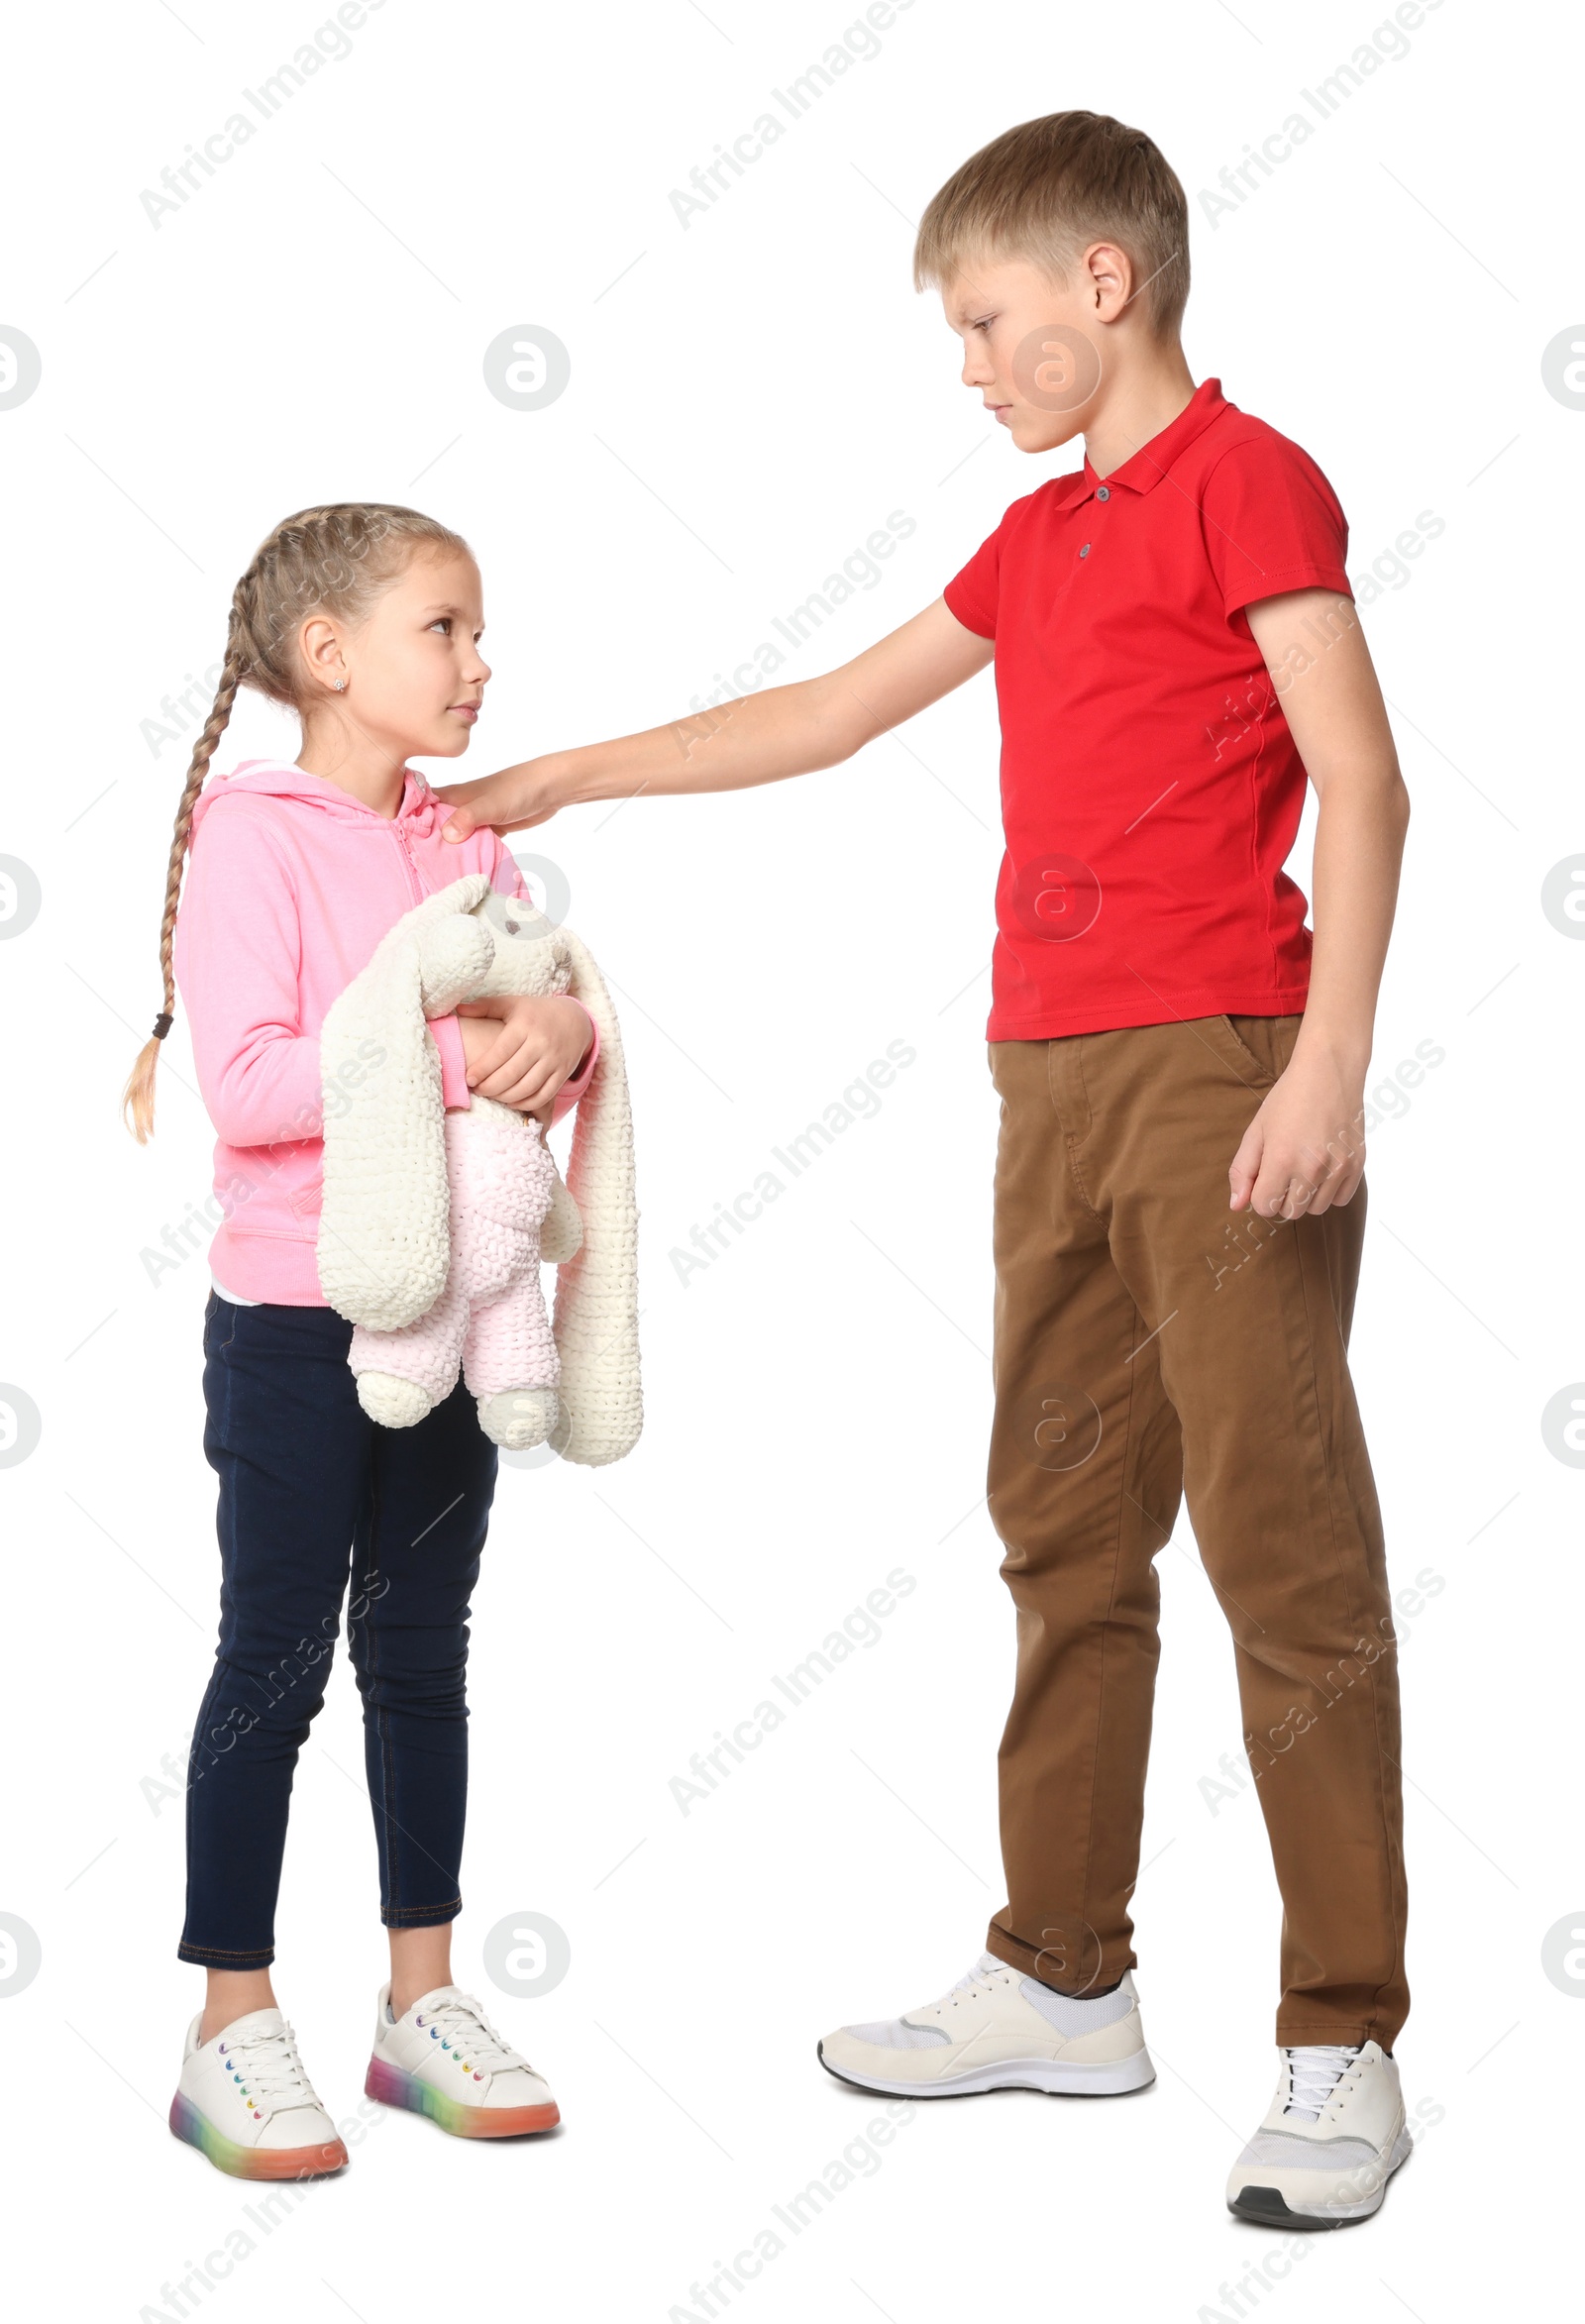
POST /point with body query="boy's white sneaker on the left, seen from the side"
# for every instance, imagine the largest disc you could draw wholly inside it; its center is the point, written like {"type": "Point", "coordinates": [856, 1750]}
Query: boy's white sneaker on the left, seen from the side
{"type": "Point", "coordinates": [998, 2030]}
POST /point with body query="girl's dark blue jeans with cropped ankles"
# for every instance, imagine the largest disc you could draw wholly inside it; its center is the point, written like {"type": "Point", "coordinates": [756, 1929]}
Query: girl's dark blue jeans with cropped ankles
{"type": "Point", "coordinates": [317, 1495]}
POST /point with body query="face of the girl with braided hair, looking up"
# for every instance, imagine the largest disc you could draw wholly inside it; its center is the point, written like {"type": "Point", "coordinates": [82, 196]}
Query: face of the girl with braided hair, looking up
{"type": "Point", "coordinates": [415, 675]}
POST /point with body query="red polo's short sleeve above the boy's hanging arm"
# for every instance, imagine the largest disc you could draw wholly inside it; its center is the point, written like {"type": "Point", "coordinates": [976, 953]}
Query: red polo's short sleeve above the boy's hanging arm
{"type": "Point", "coordinates": [1272, 524]}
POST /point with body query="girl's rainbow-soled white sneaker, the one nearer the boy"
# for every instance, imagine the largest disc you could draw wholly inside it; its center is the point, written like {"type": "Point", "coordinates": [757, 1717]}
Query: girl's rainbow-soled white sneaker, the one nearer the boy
{"type": "Point", "coordinates": [447, 2063]}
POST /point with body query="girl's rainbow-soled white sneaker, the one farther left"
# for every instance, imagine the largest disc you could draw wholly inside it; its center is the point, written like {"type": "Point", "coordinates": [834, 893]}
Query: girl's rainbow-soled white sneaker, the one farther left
{"type": "Point", "coordinates": [248, 2104]}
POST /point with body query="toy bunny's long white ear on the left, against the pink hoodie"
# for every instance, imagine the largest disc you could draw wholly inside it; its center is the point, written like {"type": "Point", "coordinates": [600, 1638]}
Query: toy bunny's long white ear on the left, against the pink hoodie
{"type": "Point", "coordinates": [385, 1231]}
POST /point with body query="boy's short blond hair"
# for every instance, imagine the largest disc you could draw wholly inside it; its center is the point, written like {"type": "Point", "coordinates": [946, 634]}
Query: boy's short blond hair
{"type": "Point", "coordinates": [1049, 189]}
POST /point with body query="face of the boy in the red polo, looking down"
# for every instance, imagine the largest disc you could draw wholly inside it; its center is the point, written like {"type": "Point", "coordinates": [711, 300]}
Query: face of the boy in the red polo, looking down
{"type": "Point", "coordinates": [1033, 345]}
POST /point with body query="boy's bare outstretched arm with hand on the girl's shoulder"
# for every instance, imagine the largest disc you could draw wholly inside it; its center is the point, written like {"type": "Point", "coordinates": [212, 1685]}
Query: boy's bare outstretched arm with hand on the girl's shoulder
{"type": "Point", "coordinates": [752, 740]}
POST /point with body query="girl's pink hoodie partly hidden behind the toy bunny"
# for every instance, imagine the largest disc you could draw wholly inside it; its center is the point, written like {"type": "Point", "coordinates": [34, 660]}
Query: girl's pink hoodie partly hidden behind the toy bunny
{"type": "Point", "coordinates": [289, 889]}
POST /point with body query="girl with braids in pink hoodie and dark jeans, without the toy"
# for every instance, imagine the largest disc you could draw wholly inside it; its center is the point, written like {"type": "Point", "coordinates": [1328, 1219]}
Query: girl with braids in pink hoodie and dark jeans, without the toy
{"type": "Point", "coordinates": [364, 622]}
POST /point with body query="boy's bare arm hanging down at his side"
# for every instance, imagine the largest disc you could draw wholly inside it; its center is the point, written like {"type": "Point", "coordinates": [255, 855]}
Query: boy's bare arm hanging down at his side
{"type": "Point", "coordinates": [1305, 1149]}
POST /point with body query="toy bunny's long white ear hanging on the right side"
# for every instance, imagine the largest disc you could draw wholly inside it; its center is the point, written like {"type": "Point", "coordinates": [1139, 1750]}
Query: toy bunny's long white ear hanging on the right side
{"type": "Point", "coordinates": [598, 1286]}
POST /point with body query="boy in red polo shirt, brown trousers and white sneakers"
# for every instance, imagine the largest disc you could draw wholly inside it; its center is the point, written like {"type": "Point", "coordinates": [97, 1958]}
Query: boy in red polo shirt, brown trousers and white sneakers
{"type": "Point", "coordinates": [1175, 657]}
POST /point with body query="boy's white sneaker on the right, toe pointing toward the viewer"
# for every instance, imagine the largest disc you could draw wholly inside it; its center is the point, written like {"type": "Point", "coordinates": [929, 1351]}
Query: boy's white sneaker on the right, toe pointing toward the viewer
{"type": "Point", "coordinates": [1333, 2139]}
